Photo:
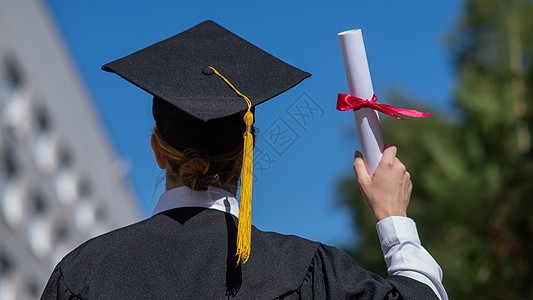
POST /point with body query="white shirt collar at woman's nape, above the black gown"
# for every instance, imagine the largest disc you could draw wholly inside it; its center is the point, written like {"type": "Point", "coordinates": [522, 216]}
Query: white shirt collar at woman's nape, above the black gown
{"type": "Point", "coordinates": [213, 198]}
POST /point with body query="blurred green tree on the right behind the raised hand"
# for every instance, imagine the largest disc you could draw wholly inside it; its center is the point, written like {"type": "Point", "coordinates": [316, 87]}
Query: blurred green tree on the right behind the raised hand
{"type": "Point", "coordinates": [472, 173]}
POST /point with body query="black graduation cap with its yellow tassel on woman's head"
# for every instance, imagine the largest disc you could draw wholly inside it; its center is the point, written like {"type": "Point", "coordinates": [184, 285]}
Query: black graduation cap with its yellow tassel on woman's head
{"type": "Point", "coordinates": [205, 81]}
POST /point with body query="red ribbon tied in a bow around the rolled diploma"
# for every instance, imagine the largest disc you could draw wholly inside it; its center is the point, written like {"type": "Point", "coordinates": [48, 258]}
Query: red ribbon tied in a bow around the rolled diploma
{"type": "Point", "coordinates": [346, 102]}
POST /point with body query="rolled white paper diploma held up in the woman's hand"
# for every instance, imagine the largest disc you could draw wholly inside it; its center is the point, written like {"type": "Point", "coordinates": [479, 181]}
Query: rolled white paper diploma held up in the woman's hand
{"type": "Point", "coordinates": [360, 85]}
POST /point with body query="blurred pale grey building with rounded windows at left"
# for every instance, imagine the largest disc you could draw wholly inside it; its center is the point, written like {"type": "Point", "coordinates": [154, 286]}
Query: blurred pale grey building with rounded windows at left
{"type": "Point", "coordinates": [60, 180]}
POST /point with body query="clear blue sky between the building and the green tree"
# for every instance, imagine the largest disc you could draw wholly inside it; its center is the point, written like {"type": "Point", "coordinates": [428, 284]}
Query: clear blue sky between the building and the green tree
{"type": "Point", "coordinates": [295, 192]}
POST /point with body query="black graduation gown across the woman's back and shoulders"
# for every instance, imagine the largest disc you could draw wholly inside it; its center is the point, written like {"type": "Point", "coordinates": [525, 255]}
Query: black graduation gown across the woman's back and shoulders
{"type": "Point", "coordinates": [189, 253]}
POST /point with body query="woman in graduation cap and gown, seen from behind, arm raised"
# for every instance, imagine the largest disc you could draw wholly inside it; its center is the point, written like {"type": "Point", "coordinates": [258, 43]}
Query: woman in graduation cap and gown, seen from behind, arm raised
{"type": "Point", "coordinates": [199, 244]}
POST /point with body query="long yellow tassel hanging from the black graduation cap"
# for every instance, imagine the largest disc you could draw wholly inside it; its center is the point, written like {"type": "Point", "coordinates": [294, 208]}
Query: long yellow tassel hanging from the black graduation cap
{"type": "Point", "coordinates": [244, 230]}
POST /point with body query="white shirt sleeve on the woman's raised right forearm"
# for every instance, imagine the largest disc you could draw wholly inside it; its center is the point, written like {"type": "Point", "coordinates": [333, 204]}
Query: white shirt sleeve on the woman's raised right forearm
{"type": "Point", "coordinates": [405, 256]}
